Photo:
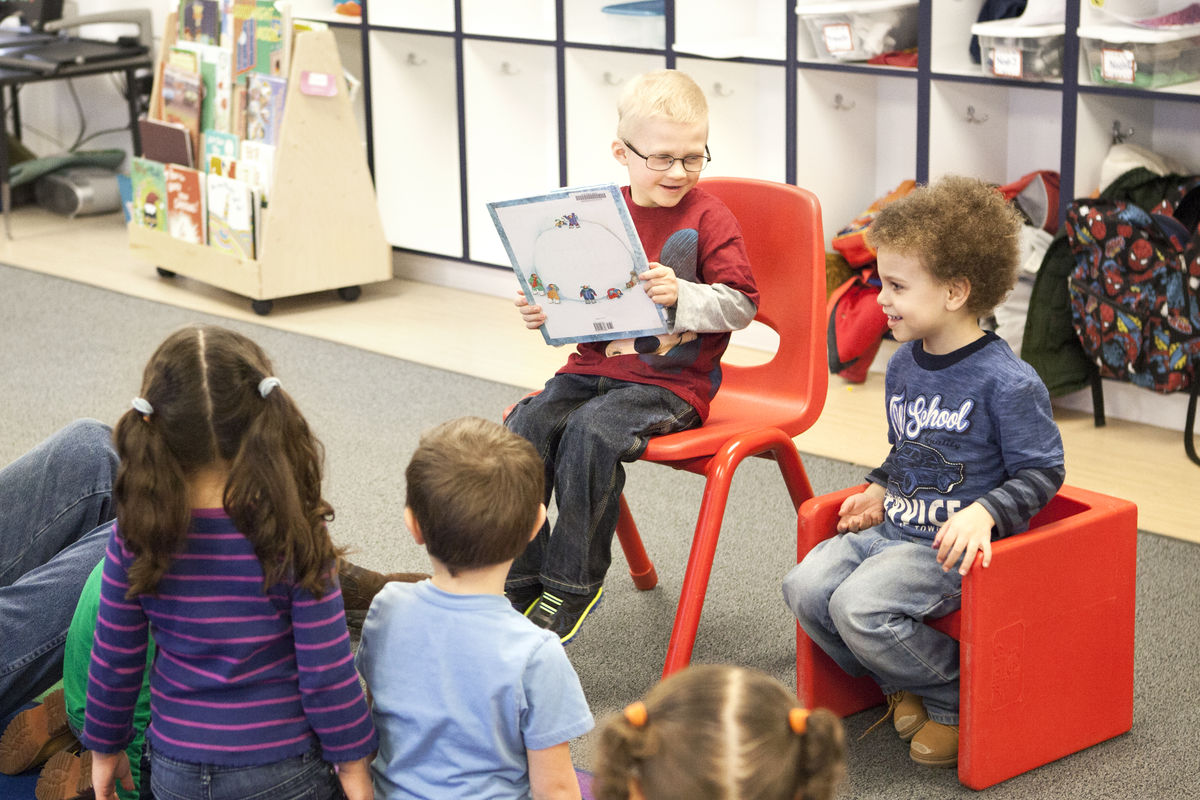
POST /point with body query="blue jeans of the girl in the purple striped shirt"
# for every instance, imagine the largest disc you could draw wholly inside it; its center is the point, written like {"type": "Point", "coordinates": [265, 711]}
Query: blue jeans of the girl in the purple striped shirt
{"type": "Point", "coordinates": [304, 778]}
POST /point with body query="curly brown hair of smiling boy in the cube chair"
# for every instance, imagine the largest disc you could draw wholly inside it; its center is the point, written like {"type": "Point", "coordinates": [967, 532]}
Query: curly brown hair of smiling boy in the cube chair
{"type": "Point", "coordinates": [958, 228]}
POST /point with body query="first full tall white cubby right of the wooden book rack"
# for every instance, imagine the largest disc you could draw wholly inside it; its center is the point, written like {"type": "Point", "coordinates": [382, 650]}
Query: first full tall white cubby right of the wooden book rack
{"type": "Point", "coordinates": [417, 151]}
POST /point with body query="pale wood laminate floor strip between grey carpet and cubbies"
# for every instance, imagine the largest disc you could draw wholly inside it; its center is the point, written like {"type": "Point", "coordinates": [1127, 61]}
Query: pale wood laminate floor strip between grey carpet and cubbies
{"type": "Point", "coordinates": [479, 334]}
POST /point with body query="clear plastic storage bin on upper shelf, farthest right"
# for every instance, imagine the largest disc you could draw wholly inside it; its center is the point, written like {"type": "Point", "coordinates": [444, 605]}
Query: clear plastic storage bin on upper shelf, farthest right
{"type": "Point", "coordinates": [1141, 57]}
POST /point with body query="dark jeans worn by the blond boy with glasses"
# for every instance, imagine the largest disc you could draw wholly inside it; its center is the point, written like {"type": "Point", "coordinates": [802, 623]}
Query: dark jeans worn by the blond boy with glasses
{"type": "Point", "coordinates": [584, 428]}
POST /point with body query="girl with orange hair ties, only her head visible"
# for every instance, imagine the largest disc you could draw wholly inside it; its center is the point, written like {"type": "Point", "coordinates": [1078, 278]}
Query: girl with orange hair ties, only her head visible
{"type": "Point", "coordinates": [719, 733]}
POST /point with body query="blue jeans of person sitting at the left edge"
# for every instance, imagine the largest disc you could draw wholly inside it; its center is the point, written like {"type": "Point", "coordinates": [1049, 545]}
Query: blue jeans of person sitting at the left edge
{"type": "Point", "coordinates": [56, 513]}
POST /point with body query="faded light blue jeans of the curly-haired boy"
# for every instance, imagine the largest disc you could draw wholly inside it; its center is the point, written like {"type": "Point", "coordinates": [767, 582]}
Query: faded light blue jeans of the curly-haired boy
{"type": "Point", "coordinates": [863, 598]}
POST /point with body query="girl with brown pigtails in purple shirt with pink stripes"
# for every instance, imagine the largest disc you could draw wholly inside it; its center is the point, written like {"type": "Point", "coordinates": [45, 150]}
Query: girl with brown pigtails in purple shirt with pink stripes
{"type": "Point", "coordinates": [221, 550]}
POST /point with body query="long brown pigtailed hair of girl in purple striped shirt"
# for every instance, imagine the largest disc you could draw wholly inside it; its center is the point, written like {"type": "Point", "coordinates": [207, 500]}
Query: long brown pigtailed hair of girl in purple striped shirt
{"type": "Point", "coordinates": [202, 384]}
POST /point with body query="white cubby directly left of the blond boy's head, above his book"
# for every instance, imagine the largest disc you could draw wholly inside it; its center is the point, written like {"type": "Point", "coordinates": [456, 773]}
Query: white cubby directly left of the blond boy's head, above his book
{"type": "Point", "coordinates": [596, 80]}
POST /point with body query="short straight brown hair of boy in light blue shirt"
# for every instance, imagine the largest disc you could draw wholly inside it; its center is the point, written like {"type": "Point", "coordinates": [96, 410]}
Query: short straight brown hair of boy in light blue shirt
{"type": "Point", "coordinates": [476, 490]}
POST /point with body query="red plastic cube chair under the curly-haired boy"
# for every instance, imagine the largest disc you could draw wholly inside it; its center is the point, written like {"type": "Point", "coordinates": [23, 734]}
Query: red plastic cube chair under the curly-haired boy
{"type": "Point", "coordinates": [1046, 637]}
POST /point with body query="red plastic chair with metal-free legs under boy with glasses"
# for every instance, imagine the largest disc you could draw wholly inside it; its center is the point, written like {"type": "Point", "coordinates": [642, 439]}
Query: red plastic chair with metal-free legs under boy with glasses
{"type": "Point", "coordinates": [760, 408]}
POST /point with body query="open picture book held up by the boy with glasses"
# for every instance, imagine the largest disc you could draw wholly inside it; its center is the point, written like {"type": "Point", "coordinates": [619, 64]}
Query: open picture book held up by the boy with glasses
{"type": "Point", "coordinates": [577, 255]}
